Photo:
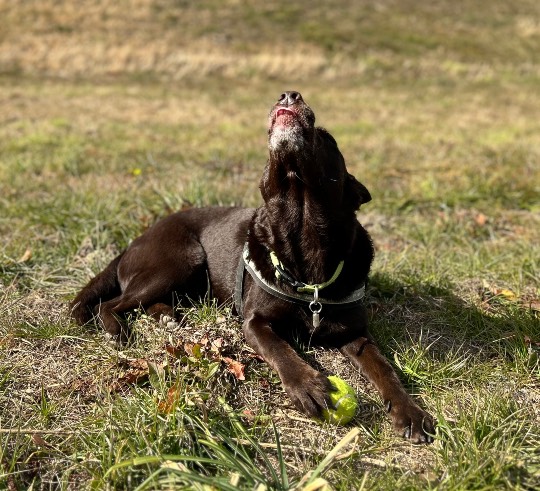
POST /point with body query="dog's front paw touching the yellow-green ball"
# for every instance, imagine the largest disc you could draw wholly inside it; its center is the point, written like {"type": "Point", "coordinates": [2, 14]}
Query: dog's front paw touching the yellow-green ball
{"type": "Point", "coordinates": [308, 390]}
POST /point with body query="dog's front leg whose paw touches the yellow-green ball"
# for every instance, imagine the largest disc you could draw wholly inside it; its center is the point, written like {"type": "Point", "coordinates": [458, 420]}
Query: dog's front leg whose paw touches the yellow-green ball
{"type": "Point", "coordinates": [307, 388]}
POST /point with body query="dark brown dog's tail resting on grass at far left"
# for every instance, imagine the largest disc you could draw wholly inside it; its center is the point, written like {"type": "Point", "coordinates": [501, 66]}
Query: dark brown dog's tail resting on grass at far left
{"type": "Point", "coordinates": [101, 288]}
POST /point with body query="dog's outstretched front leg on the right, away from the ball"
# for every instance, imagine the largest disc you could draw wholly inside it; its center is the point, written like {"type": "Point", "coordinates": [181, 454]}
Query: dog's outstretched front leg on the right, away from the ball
{"type": "Point", "coordinates": [408, 419]}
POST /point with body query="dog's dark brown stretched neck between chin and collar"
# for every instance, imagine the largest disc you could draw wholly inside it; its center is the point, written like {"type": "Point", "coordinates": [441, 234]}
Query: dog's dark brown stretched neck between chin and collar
{"type": "Point", "coordinates": [306, 230]}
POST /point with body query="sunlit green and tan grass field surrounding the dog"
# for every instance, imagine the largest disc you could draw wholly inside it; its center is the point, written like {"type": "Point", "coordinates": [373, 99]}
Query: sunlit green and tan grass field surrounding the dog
{"type": "Point", "coordinates": [114, 114]}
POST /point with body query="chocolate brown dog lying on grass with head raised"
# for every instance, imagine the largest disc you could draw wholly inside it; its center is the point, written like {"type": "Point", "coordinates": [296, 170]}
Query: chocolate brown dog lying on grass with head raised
{"type": "Point", "coordinates": [298, 263]}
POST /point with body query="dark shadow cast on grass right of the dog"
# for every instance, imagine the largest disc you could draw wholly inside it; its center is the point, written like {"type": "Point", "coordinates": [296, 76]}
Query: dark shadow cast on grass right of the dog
{"type": "Point", "coordinates": [438, 322]}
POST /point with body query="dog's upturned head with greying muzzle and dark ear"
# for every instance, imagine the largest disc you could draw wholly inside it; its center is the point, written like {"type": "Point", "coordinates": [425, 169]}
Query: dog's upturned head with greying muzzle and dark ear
{"type": "Point", "coordinates": [310, 154]}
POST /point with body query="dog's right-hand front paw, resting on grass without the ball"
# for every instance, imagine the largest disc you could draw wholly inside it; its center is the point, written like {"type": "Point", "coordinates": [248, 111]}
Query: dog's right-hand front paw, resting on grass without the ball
{"type": "Point", "coordinates": [411, 422]}
